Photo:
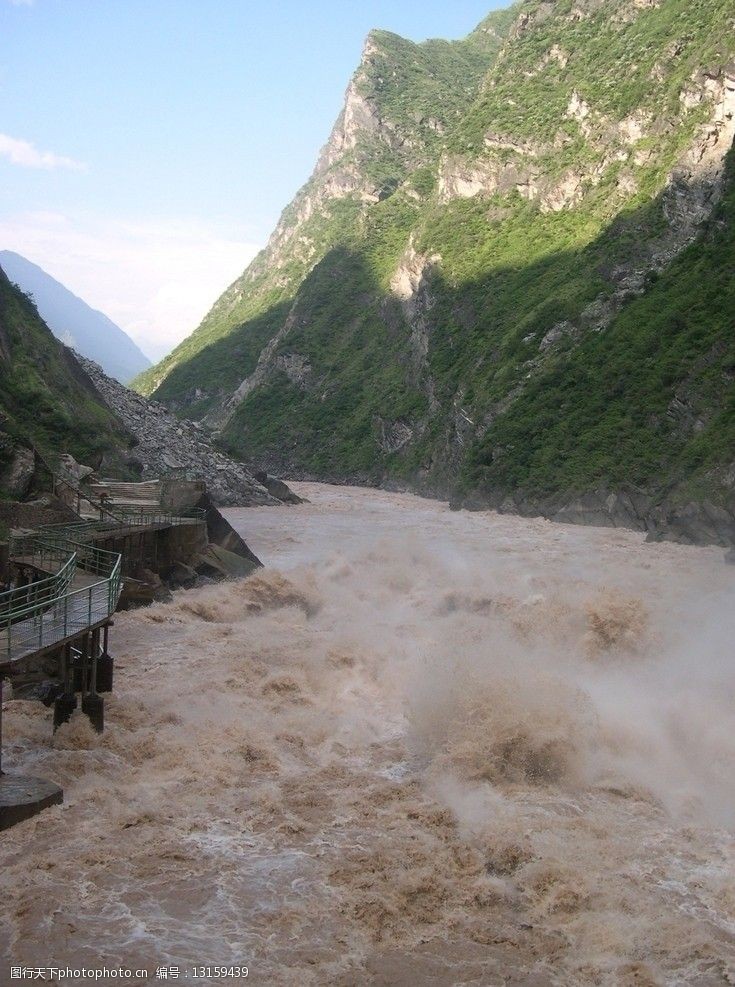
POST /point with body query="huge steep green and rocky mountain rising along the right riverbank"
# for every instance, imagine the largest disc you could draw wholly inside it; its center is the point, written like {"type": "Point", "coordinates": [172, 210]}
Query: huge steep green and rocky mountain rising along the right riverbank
{"type": "Point", "coordinates": [509, 278]}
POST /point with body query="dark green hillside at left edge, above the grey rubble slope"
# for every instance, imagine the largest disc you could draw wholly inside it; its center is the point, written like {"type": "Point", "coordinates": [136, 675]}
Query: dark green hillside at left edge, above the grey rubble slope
{"type": "Point", "coordinates": [46, 399]}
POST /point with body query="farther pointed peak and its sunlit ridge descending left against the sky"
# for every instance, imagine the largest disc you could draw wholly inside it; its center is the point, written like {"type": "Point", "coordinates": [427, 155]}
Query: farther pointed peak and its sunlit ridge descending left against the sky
{"type": "Point", "coordinates": [401, 101]}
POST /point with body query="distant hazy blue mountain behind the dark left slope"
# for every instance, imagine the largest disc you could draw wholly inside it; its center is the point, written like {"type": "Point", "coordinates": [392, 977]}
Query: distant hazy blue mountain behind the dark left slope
{"type": "Point", "coordinates": [72, 321]}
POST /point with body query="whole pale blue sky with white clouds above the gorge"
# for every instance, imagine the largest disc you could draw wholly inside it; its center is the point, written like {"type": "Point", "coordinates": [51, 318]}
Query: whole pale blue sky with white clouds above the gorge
{"type": "Point", "coordinates": [147, 147]}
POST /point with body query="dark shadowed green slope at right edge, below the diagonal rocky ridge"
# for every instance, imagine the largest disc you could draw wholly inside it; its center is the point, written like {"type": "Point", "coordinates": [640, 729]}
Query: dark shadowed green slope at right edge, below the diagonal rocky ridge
{"type": "Point", "coordinates": [648, 401]}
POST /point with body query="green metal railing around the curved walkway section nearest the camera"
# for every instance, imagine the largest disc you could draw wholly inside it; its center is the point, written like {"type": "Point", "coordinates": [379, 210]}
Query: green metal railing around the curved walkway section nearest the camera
{"type": "Point", "coordinates": [52, 609]}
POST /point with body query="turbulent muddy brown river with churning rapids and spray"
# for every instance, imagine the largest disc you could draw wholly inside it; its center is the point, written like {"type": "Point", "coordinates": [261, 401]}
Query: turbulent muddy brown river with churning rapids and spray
{"type": "Point", "coordinates": [419, 747]}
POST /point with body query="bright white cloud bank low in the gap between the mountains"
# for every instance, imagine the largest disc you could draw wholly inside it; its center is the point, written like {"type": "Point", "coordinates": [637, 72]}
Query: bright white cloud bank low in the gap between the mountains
{"type": "Point", "coordinates": [155, 279]}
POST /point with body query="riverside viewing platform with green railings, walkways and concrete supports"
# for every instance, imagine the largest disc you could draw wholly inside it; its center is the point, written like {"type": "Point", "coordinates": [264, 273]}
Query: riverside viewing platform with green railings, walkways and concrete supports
{"type": "Point", "coordinates": [66, 582]}
